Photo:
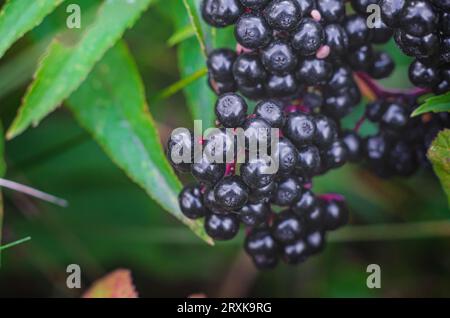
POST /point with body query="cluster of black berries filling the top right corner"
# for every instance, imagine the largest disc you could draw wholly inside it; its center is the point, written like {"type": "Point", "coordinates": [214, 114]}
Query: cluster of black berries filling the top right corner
{"type": "Point", "coordinates": [422, 30]}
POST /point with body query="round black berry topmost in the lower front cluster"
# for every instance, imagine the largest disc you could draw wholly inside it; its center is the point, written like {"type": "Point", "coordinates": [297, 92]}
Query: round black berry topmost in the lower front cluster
{"type": "Point", "coordinates": [231, 110]}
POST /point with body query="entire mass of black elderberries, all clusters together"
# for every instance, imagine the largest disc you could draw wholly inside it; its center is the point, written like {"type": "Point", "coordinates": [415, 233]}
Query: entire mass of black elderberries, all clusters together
{"type": "Point", "coordinates": [299, 59]}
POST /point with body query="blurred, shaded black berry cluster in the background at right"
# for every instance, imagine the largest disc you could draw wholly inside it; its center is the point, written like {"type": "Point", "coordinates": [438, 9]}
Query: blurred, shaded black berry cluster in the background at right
{"type": "Point", "coordinates": [400, 146]}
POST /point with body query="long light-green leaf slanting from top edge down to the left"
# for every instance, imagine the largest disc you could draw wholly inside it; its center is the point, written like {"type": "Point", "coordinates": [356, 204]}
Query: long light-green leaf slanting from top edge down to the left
{"type": "Point", "coordinates": [63, 69]}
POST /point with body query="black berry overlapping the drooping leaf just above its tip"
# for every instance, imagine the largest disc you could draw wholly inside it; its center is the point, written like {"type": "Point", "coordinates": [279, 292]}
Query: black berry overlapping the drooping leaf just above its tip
{"type": "Point", "coordinates": [191, 202]}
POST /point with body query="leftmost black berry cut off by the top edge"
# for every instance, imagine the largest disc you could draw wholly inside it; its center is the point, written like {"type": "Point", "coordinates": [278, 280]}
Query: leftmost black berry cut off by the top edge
{"type": "Point", "coordinates": [221, 13]}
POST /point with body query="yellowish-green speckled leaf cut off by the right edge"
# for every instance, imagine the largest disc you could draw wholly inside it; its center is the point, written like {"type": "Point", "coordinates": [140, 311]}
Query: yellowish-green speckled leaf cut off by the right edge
{"type": "Point", "coordinates": [439, 155]}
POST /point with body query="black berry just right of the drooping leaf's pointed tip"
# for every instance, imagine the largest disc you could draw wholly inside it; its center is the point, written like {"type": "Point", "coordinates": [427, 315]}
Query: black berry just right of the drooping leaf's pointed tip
{"type": "Point", "coordinates": [221, 227]}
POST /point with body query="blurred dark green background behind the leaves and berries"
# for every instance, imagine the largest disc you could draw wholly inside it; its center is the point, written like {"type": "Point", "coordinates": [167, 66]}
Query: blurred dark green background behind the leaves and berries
{"type": "Point", "coordinates": [402, 225]}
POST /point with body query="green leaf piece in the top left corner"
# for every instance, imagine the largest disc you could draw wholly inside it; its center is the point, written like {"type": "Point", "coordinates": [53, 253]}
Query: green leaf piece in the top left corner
{"type": "Point", "coordinates": [20, 16]}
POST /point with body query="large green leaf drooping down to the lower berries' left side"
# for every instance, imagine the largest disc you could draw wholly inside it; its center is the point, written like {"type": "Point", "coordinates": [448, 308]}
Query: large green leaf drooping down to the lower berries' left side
{"type": "Point", "coordinates": [111, 106]}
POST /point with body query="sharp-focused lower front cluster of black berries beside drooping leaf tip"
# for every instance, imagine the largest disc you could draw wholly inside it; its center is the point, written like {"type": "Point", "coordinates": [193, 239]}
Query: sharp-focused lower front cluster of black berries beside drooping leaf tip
{"type": "Point", "coordinates": [309, 145]}
